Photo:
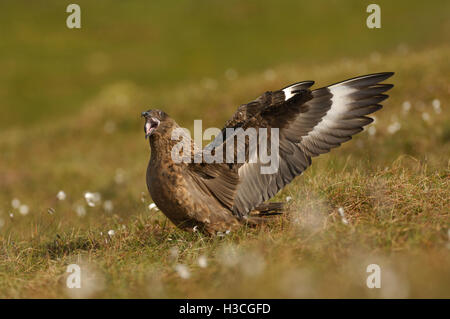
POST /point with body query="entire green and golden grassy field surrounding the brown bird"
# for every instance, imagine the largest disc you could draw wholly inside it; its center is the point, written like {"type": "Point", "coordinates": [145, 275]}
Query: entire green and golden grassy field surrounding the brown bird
{"type": "Point", "coordinates": [71, 103]}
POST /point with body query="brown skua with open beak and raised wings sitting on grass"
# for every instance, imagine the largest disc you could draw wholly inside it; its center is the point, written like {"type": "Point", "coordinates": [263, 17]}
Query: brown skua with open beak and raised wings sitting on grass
{"type": "Point", "coordinates": [214, 197]}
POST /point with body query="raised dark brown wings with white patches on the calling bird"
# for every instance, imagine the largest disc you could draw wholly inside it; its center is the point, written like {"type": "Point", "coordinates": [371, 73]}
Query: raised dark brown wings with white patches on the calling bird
{"type": "Point", "coordinates": [310, 123]}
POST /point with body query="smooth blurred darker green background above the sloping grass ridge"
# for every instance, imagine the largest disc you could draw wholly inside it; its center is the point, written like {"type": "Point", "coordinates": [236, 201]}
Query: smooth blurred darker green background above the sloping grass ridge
{"type": "Point", "coordinates": [48, 70]}
